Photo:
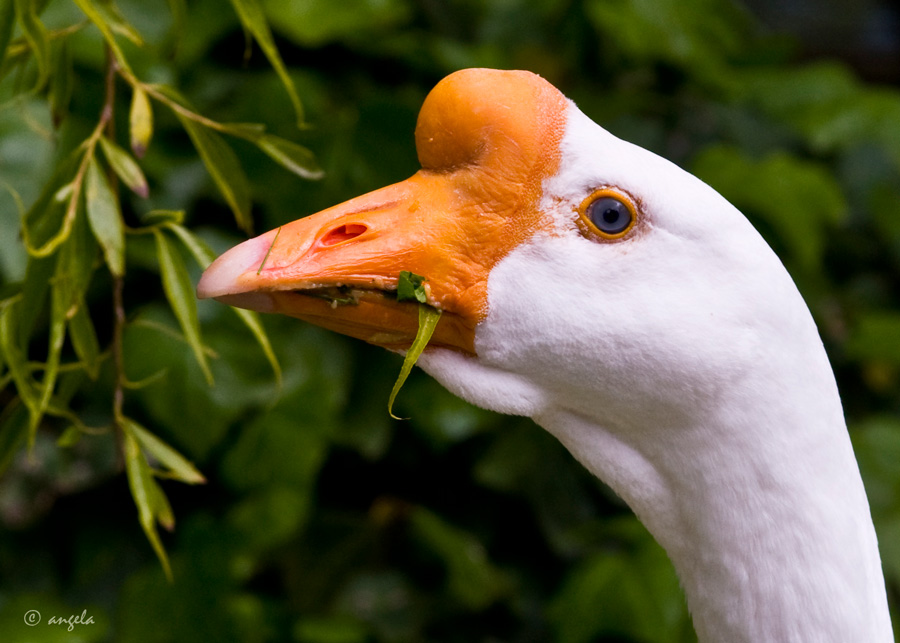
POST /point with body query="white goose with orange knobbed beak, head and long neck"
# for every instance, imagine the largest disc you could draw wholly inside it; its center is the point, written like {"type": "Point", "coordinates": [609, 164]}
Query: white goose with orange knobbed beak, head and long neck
{"type": "Point", "coordinates": [631, 311]}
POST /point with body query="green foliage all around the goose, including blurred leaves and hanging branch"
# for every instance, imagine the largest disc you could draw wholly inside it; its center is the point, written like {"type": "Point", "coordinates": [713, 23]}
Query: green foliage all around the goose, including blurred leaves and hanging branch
{"type": "Point", "coordinates": [322, 520]}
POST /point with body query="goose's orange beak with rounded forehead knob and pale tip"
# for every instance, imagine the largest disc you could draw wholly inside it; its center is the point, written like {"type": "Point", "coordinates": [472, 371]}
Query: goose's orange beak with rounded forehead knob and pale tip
{"type": "Point", "coordinates": [486, 140]}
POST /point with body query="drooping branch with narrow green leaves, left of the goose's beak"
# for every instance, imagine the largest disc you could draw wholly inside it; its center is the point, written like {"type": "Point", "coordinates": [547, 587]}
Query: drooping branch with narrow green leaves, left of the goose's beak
{"type": "Point", "coordinates": [77, 224]}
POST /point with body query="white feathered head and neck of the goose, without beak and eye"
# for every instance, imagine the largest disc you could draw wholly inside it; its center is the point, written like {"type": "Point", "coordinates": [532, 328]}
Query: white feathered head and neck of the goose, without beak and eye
{"type": "Point", "coordinates": [682, 367]}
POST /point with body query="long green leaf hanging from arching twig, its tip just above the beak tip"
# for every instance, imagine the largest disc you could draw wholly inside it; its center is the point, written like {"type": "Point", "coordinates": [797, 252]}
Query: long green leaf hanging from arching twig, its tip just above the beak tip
{"type": "Point", "coordinates": [224, 167]}
